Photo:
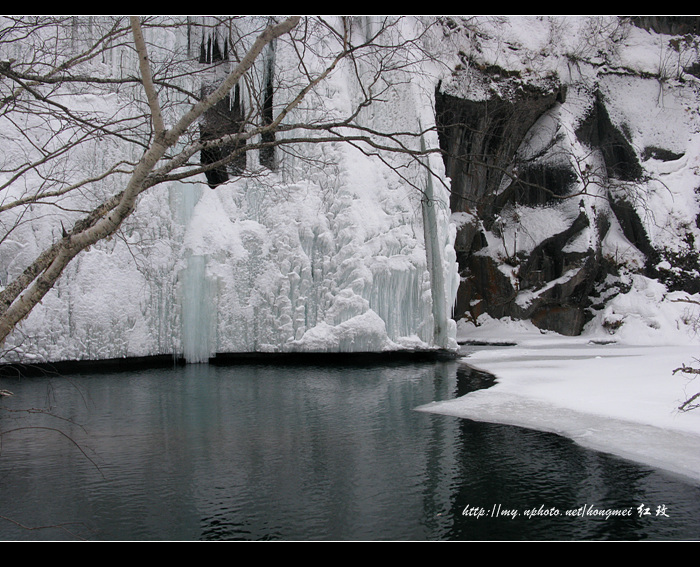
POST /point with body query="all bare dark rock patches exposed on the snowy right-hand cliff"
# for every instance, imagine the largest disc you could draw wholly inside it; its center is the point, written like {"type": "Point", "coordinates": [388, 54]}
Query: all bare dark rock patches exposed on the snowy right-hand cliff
{"type": "Point", "coordinates": [552, 284]}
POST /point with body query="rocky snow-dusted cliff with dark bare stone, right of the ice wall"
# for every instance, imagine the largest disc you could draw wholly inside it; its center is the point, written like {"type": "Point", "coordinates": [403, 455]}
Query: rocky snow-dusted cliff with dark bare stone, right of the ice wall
{"type": "Point", "coordinates": [568, 179]}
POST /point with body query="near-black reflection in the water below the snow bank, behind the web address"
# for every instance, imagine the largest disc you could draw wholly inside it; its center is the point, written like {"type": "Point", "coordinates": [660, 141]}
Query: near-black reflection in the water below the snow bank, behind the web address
{"type": "Point", "coordinates": [548, 476]}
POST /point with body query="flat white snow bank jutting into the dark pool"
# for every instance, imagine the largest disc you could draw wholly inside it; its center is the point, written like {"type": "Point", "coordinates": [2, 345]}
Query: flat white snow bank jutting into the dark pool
{"type": "Point", "coordinates": [601, 389]}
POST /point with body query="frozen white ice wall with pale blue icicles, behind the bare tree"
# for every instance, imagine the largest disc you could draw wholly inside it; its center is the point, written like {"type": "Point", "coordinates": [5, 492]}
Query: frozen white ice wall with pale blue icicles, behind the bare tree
{"type": "Point", "coordinates": [326, 253]}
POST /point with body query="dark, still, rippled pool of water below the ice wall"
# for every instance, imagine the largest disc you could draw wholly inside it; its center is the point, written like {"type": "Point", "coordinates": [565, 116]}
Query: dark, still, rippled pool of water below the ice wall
{"type": "Point", "coordinates": [263, 452]}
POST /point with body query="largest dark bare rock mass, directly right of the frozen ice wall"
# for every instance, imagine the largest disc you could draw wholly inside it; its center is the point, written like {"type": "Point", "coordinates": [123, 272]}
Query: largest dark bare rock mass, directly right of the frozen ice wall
{"type": "Point", "coordinates": [480, 140]}
